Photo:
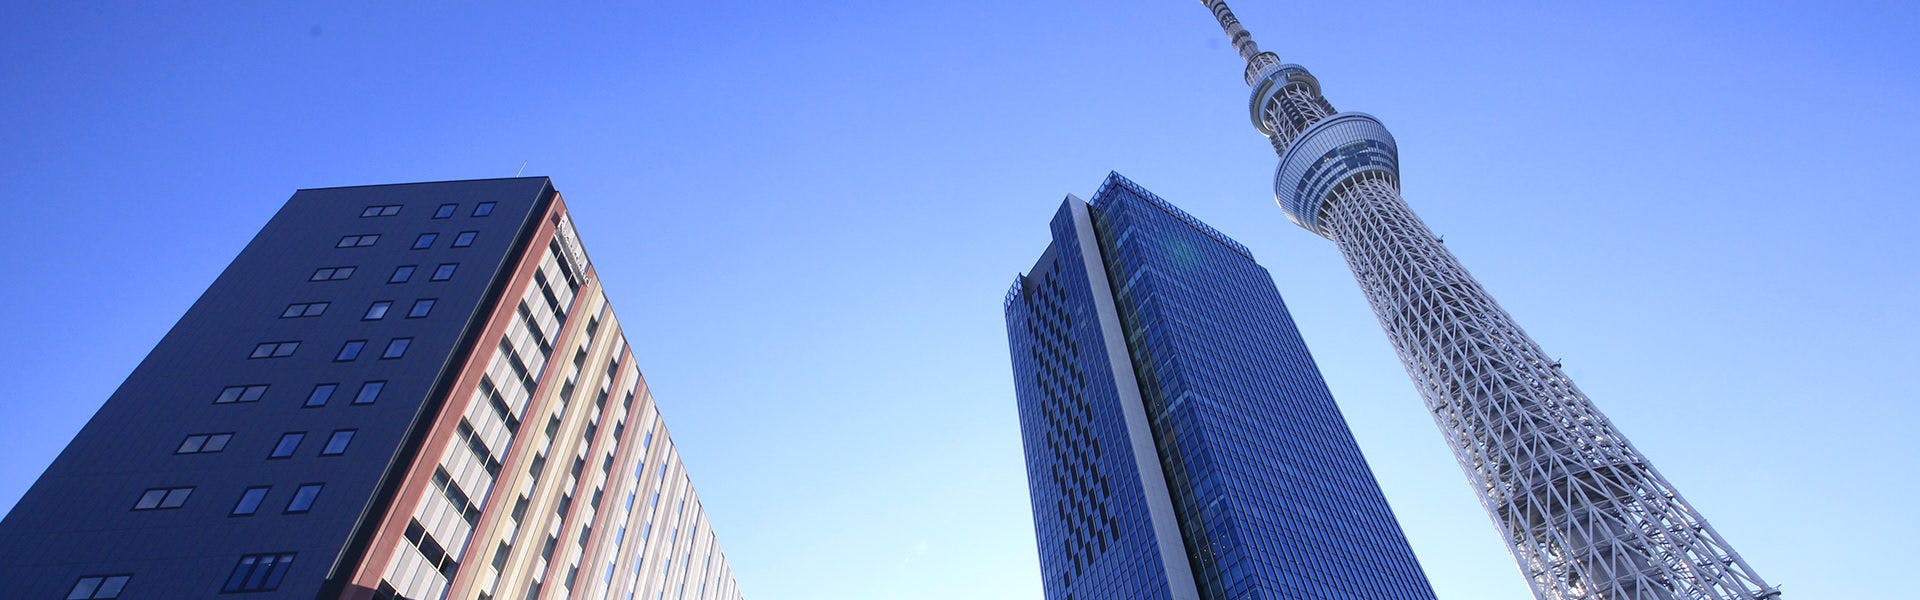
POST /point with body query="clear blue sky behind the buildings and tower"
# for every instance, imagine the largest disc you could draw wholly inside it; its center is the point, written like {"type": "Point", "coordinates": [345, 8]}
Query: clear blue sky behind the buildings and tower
{"type": "Point", "coordinates": [807, 216]}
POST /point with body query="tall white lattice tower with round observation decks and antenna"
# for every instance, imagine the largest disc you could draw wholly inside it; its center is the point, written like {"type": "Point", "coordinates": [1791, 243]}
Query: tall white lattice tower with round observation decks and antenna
{"type": "Point", "coordinates": [1585, 514]}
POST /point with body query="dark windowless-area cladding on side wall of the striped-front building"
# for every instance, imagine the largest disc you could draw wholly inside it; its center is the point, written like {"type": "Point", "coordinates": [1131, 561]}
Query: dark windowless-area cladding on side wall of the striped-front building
{"type": "Point", "coordinates": [78, 518]}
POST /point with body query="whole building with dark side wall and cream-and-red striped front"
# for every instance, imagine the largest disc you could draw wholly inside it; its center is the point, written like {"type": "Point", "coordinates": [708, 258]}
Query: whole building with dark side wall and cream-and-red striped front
{"type": "Point", "coordinates": [396, 391]}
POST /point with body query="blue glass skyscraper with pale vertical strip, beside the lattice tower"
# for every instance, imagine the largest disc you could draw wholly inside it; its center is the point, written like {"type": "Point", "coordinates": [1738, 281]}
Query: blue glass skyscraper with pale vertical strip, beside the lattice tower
{"type": "Point", "coordinates": [1180, 439]}
